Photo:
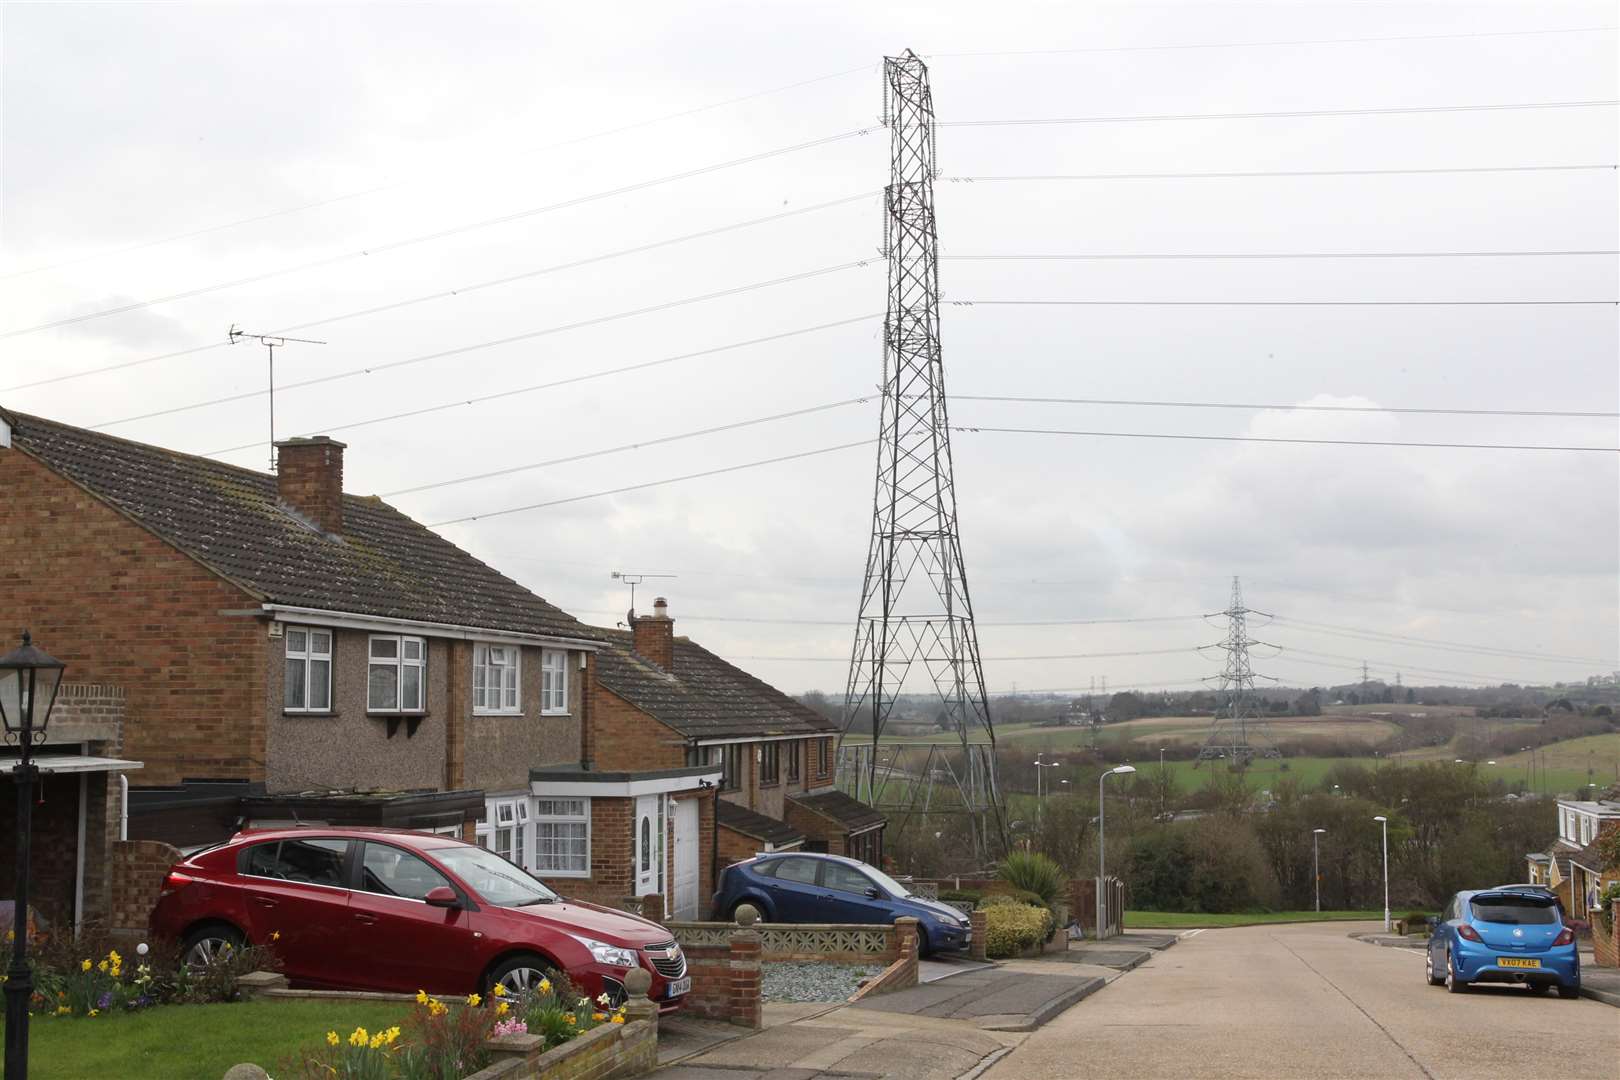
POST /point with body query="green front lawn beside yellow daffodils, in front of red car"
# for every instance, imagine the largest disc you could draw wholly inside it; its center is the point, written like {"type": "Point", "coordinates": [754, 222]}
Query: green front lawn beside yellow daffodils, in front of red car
{"type": "Point", "coordinates": [194, 1042]}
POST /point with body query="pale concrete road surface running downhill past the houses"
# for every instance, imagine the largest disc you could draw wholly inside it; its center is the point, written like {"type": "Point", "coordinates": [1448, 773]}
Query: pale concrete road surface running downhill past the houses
{"type": "Point", "coordinates": [1310, 1001]}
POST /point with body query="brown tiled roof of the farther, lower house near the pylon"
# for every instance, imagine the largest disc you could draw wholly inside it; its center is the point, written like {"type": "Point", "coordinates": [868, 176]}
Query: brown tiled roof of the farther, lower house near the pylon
{"type": "Point", "coordinates": [706, 697]}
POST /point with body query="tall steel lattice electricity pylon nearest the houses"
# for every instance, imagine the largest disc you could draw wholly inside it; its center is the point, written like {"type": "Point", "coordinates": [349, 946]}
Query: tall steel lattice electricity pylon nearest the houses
{"type": "Point", "coordinates": [914, 603]}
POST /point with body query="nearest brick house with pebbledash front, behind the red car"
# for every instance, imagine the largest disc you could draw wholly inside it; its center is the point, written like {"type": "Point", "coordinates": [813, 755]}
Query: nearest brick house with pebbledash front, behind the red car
{"type": "Point", "coordinates": [284, 650]}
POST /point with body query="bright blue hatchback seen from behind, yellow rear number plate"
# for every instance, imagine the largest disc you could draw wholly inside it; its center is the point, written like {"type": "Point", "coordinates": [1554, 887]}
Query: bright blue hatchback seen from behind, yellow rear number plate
{"type": "Point", "coordinates": [1504, 937]}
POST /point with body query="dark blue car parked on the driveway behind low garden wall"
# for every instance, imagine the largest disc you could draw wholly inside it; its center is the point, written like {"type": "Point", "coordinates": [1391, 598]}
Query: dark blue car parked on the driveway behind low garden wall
{"type": "Point", "coordinates": [806, 888]}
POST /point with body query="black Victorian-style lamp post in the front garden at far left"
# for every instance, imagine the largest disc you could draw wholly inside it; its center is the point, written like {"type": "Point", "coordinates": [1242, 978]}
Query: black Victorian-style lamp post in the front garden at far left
{"type": "Point", "coordinates": [27, 676]}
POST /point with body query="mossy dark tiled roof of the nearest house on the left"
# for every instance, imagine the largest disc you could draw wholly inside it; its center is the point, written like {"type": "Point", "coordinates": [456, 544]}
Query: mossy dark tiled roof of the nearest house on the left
{"type": "Point", "coordinates": [229, 519]}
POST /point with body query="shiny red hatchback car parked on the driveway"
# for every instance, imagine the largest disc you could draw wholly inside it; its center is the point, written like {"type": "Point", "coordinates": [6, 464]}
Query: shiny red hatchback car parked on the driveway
{"type": "Point", "coordinates": [393, 911]}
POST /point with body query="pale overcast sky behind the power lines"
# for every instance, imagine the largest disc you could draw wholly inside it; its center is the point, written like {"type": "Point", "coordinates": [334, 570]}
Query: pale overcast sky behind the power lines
{"type": "Point", "coordinates": [143, 140]}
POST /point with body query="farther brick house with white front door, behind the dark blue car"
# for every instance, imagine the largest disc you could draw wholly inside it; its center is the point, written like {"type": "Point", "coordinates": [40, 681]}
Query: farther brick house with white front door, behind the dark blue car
{"type": "Point", "coordinates": [668, 712]}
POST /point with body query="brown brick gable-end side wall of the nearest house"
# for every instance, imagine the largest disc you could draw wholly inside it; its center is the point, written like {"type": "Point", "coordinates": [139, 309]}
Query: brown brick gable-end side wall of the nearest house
{"type": "Point", "coordinates": [122, 608]}
